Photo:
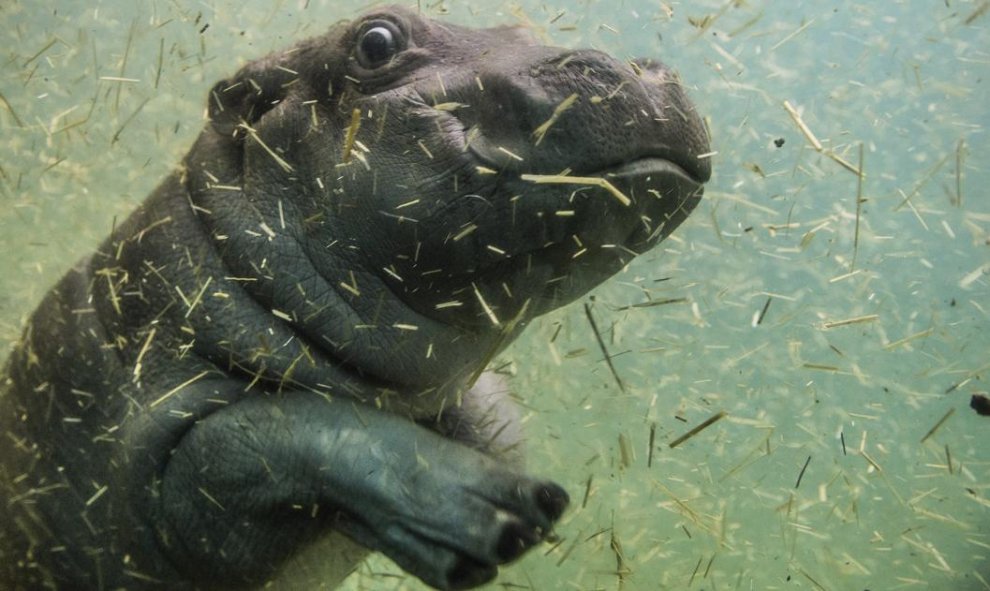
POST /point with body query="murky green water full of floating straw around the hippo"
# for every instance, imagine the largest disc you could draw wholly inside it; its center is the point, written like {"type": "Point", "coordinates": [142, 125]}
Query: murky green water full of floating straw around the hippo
{"type": "Point", "coordinates": [100, 101]}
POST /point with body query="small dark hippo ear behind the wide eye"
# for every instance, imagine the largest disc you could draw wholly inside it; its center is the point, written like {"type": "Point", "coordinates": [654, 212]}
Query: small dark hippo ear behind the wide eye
{"type": "Point", "coordinates": [254, 91]}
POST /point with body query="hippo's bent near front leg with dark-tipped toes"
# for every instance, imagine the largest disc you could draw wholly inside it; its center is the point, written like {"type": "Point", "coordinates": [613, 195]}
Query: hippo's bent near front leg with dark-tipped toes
{"type": "Point", "coordinates": [250, 484]}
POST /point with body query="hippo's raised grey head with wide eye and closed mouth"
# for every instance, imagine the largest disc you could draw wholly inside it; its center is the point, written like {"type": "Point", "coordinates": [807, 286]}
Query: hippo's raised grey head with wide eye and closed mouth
{"type": "Point", "coordinates": [438, 181]}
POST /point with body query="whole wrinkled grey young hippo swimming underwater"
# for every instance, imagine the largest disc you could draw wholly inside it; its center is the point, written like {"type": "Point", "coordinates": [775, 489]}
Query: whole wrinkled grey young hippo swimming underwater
{"type": "Point", "coordinates": [275, 344]}
